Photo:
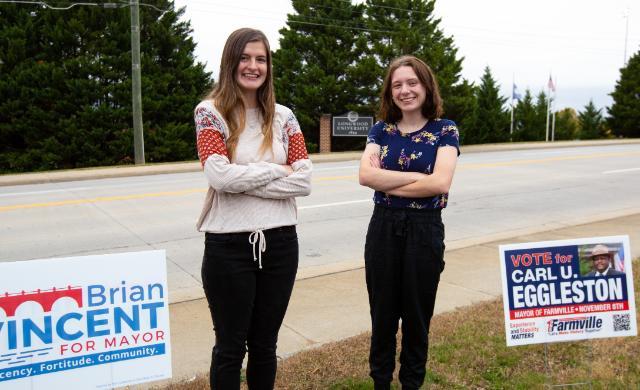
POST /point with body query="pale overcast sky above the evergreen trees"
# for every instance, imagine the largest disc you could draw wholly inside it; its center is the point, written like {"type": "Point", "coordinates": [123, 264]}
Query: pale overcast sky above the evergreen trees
{"type": "Point", "coordinates": [581, 43]}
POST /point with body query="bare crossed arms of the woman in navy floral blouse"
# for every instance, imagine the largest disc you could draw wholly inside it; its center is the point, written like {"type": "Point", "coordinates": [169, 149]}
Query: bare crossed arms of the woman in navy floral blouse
{"type": "Point", "coordinates": [408, 184]}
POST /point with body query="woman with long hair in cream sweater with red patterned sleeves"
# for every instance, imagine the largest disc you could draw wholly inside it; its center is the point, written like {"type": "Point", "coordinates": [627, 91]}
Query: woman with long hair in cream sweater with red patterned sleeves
{"type": "Point", "coordinates": [255, 161]}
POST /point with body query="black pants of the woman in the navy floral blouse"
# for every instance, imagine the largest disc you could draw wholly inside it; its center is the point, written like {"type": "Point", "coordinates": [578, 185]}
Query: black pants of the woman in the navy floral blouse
{"type": "Point", "coordinates": [403, 261]}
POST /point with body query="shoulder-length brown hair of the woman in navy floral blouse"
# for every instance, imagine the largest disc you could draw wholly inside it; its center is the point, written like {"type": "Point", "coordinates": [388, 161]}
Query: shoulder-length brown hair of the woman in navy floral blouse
{"type": "Point", "coordinates": [432, 106]}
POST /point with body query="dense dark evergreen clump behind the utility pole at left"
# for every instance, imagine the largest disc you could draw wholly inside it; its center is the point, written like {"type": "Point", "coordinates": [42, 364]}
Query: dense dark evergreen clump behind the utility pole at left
{"type": "Point", "coordinates": [65, 87]}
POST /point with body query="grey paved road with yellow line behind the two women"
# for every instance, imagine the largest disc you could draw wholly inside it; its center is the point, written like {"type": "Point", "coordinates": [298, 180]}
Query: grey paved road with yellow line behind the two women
{"type": "Point", "coordinates": [494, 195]}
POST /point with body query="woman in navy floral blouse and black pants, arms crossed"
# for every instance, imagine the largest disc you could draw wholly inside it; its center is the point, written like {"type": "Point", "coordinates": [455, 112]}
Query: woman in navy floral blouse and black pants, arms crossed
{"type": "Point", "coordinates": [409, 161]}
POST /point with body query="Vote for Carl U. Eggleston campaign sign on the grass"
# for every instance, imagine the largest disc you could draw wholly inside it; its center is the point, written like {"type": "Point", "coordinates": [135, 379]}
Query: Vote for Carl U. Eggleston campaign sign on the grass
{"type": "Point", "coordinates": [567, 290]}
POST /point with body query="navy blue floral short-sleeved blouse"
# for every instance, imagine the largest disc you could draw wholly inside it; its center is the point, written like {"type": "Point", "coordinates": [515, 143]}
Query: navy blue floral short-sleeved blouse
{"type": "Point", "coordinates": [412, 152]}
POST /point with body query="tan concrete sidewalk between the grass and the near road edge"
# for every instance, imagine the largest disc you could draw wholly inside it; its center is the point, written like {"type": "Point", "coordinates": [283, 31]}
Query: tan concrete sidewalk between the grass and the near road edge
{"type": "Point", "coordinates": [334, 306]}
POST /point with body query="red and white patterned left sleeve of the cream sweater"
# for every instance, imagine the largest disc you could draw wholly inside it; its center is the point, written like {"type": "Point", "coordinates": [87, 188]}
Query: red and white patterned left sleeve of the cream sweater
{"type": "Point", "coordinates": [210, 137]}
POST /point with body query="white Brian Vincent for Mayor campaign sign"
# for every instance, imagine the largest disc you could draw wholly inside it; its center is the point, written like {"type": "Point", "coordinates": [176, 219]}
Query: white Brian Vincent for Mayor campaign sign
{"type": "Point", "coordinates": [91, 322]}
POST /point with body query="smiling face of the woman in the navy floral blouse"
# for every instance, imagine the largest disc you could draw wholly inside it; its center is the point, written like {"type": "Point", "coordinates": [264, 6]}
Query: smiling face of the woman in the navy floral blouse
{"type": "Point", "coordinates": [407, 91]}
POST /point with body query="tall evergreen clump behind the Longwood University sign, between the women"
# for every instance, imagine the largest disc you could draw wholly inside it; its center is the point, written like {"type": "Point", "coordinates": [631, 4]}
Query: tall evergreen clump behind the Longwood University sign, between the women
{"type": "Point", "coordinates": [333, 57]}
